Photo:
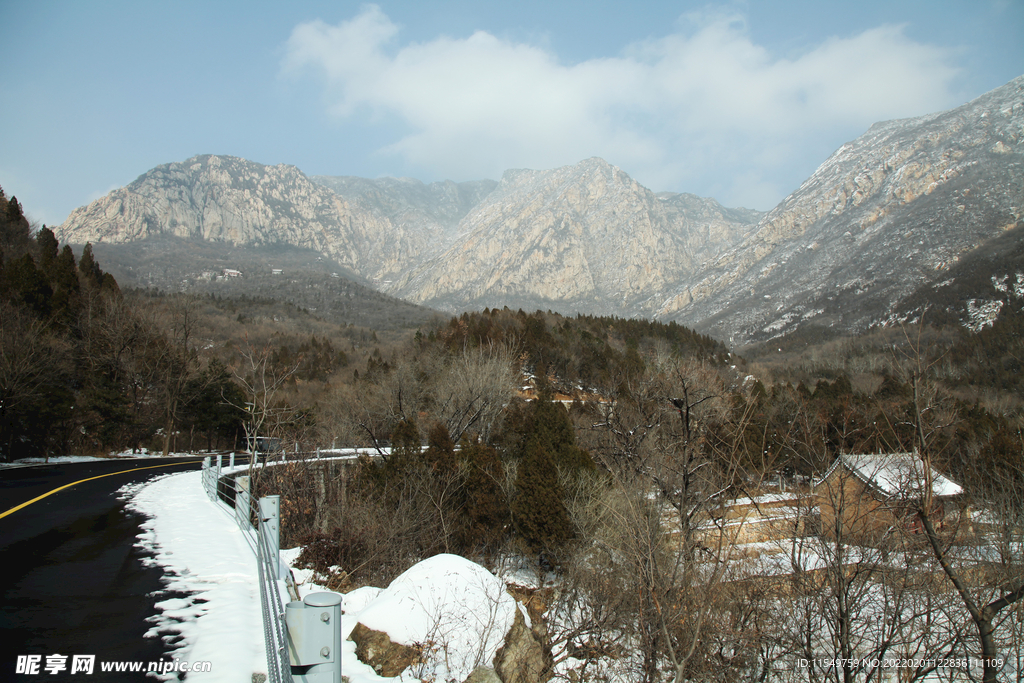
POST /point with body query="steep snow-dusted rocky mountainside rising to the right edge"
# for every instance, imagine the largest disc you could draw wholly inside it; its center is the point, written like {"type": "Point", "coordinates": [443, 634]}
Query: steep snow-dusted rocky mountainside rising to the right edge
{"type": "Point", "coordinates": [885, 215]}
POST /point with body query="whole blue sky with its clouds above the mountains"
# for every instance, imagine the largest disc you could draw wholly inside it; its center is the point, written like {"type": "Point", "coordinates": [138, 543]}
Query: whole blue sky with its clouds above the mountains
{"type": "Point", "coordinates": [739, 101]}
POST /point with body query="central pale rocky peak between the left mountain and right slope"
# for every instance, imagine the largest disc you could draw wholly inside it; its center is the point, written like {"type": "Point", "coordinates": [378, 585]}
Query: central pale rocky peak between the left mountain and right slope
{"type": "Point", "coordinates": [583, 238]}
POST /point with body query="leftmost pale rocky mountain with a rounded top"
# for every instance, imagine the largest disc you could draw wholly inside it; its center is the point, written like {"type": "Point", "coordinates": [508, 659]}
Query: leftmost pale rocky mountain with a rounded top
{"type": "Point", "coordinates": [226, 199]}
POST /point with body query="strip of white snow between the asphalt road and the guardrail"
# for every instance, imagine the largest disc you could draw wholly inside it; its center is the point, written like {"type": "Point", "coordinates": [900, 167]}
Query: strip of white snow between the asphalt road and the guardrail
{"type": "Point", "coordinates": [206, 558]}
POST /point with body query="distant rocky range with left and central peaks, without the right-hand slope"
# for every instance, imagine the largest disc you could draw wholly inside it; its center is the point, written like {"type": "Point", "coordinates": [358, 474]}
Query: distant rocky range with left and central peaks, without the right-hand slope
{"type": "Point", "coordinates": [580, 238]}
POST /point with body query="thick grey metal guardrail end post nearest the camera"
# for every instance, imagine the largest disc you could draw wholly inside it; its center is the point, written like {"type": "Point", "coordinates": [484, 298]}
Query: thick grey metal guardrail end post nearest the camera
{"type": "Point", "coordinates": [315, 638]}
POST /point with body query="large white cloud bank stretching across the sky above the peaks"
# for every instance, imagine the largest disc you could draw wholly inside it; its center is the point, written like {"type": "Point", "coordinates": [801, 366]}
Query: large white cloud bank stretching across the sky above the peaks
{"type": "Point", "coordinates": [700, 108]}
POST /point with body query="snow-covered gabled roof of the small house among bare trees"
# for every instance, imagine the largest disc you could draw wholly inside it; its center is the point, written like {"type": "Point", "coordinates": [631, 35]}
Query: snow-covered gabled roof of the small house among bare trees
{"type": "Point", "coordinates": [894, 475]}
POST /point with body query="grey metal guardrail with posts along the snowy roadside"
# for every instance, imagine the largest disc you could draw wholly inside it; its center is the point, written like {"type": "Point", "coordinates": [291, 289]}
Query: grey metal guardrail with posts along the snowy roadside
{"type": "Point", "coordinates": [303, 638]}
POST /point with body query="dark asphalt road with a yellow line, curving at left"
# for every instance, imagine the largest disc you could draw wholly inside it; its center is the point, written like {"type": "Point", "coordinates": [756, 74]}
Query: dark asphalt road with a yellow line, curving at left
{"type": "Point", "coordinates": [73, 583]}
